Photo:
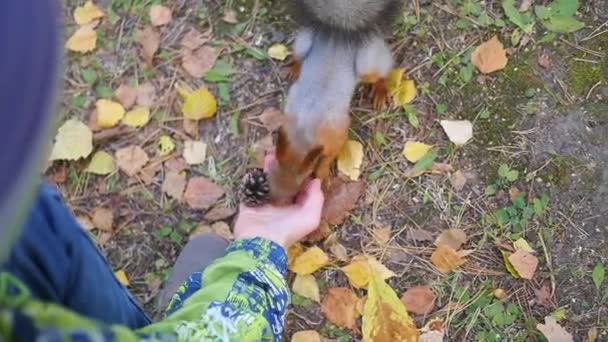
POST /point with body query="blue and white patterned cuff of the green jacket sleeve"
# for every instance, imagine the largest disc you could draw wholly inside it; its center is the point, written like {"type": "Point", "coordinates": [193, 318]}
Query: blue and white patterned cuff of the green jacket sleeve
{"type": "Point", "coordinates": [262, 250]}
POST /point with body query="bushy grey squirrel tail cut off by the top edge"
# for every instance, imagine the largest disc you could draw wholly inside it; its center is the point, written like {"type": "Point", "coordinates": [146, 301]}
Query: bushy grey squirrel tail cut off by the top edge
{"type": "Point", "coordinates": [349, 20]}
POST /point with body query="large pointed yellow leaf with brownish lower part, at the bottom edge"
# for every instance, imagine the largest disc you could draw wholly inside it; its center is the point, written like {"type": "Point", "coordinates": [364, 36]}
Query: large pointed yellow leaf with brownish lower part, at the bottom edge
{"type": "Point", "coordinates": [384, 315]}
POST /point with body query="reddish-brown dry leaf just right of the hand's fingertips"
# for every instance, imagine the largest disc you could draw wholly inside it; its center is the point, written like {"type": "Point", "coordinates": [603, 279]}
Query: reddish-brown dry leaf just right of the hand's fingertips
{"type": "Point", "coordinates": [340, 199]}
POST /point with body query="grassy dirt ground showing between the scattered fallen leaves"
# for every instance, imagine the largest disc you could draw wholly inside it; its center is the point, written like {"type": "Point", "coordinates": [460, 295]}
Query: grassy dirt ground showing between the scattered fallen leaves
{"type": "Point", "coordinates": [545, 115]}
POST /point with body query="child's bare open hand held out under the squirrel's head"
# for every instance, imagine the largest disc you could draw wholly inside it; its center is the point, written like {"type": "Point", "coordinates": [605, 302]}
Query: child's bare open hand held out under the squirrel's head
{"type": "Point", "coordinates": [284, 225]}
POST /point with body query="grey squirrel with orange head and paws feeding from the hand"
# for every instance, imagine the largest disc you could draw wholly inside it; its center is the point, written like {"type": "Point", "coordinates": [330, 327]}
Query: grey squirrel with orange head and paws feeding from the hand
{"type": "Point", "coordinates": [340, 44]}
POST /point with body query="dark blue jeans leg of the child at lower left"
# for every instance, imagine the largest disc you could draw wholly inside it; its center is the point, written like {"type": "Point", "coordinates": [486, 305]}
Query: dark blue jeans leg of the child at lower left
{"type": "Point", "coordinates": [59, 263]}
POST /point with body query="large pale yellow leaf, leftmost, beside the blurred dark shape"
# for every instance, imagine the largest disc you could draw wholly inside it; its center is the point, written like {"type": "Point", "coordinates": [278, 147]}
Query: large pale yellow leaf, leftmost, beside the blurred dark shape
{"type": "Point", "coordinates": [74, 140]}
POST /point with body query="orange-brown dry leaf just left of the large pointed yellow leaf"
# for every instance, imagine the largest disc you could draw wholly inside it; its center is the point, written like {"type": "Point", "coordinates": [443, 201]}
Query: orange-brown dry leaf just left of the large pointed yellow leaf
{"type": "Point", "coordinates": [339, 306]}
